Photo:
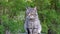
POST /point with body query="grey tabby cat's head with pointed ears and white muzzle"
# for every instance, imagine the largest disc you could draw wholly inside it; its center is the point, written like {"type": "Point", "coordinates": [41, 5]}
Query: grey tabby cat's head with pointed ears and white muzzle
{"type": "Point", "coordinates": [31, 13]}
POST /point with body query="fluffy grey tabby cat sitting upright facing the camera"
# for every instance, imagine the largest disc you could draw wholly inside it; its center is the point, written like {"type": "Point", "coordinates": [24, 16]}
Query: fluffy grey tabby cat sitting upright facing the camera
{"type": "Point", "coordinates": [32, 23]}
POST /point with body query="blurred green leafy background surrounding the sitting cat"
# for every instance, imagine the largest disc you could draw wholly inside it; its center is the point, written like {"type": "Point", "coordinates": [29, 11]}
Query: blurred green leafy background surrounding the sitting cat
{"type": "Point", "coordinates": [12, 15]}
